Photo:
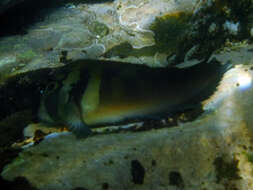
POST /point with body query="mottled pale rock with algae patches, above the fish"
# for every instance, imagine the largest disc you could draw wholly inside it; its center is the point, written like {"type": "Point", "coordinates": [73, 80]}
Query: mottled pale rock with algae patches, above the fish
{"type": "Point", "coordinates": [157, 33]}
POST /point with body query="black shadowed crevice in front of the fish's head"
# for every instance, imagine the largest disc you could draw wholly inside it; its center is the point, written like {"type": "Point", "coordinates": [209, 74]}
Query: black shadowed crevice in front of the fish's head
{"type": "Point", "coordinates": [22, 92]}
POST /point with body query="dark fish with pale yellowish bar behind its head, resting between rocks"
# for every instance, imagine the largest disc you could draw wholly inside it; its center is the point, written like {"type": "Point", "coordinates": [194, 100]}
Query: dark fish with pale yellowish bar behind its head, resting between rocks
{"type": "Point", "coordinates": [97, 93]}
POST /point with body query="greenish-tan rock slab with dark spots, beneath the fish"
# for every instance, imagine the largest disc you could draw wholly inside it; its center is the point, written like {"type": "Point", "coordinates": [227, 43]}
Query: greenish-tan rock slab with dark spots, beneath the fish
{"type": "Point", "coordinates": [214, 151]}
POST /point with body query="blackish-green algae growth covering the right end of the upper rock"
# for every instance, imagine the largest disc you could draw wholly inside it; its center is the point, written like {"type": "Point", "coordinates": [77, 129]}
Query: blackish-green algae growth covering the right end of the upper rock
{"type": "Point", "coordinates": [217, 13]}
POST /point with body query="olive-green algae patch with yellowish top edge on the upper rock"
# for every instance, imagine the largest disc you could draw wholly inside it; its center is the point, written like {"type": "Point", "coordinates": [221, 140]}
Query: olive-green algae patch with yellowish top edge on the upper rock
{"type": "Point", "coordinates": [169, 30]}
